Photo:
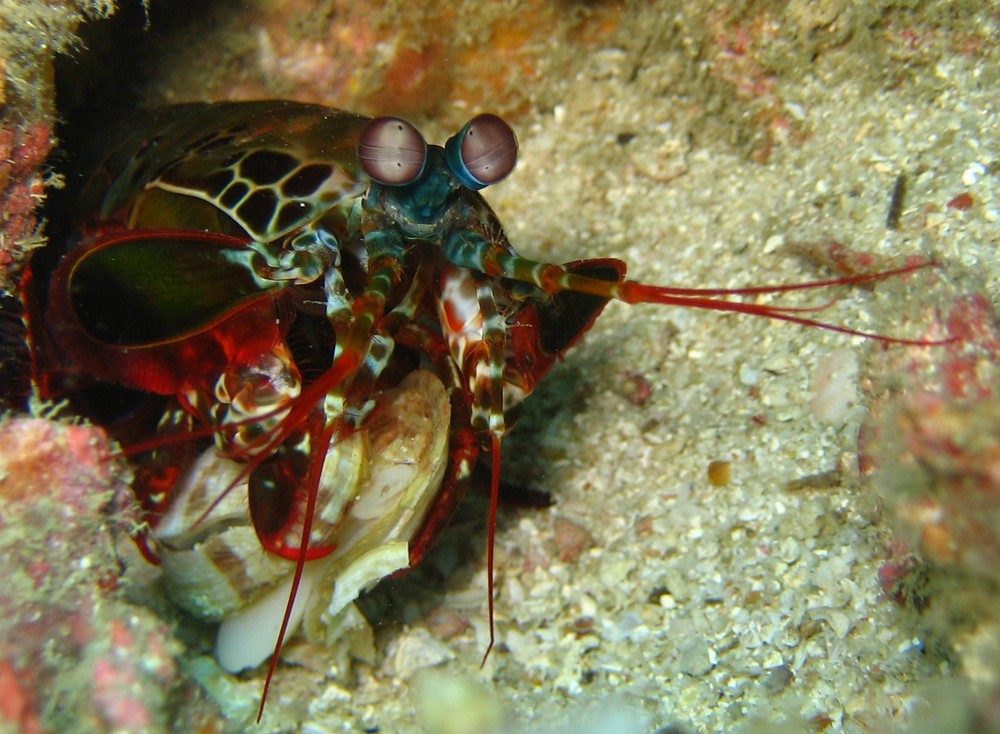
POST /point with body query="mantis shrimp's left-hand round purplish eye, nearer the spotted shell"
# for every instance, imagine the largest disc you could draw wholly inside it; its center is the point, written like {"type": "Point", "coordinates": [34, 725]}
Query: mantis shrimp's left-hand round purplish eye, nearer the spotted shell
{"type": "Point", "coordinates": [392, 151]}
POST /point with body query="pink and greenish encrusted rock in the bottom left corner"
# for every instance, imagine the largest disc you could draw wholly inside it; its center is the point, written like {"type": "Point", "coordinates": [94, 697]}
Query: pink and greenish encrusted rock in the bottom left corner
{"type": "Point", "coordinates": [74, 656]}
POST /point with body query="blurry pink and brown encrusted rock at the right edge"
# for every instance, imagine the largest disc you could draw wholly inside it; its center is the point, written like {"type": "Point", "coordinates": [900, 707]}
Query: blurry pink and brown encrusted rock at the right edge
{"type": "Point", "coordinates": [935, 435]}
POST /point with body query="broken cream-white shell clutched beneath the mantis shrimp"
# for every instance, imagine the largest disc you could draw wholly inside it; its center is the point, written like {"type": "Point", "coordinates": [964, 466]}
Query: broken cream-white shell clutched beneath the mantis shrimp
{"type": "Point", "coordinates": [377, 487]}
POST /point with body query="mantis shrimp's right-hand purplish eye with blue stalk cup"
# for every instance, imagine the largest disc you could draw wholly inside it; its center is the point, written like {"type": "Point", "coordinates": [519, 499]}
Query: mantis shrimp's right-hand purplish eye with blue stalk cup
{"type": "Point", "coordinates": [483, 152]}
